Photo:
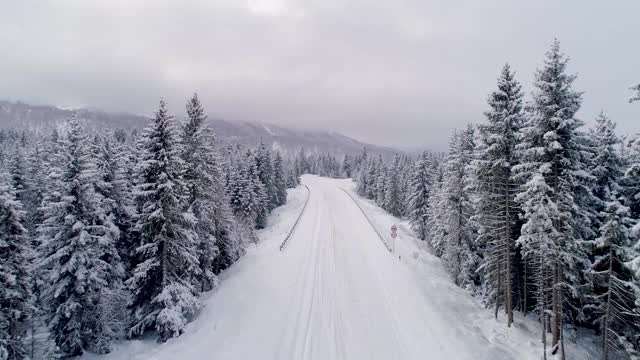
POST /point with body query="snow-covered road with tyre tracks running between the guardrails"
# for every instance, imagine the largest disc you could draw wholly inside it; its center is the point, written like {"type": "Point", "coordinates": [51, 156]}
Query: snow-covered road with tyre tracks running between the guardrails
{"type": "Point", "coordinates": [350, 298]}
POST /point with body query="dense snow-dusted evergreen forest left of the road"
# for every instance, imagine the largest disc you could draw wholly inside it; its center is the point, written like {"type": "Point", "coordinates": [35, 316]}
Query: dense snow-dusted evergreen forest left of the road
{"type": "Point", "coordinates": [112, 235]}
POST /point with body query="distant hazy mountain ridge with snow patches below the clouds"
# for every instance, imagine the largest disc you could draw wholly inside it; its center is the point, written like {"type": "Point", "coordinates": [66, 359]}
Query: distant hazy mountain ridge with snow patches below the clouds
{"type": "Point", "coordinates": [41, 118]}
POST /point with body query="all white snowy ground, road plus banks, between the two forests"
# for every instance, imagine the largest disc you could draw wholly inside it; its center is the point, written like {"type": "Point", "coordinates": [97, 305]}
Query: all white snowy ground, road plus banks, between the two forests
{"type": "Point", "coordinates": [336, 292]}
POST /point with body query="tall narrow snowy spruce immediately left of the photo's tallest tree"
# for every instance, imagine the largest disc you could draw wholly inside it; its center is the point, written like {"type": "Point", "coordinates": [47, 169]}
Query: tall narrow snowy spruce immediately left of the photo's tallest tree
{"type": "Point", "coordinates": [497, 210]}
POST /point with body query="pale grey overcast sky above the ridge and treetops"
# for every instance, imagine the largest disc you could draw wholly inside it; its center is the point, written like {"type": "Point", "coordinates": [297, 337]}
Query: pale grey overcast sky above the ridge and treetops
{"type": "Point", "coordinates": [393, 72]}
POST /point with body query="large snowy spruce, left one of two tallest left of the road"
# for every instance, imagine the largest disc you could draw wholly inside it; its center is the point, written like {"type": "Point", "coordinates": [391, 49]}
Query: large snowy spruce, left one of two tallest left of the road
{"type": "Point", "coordinates": [161, 285]}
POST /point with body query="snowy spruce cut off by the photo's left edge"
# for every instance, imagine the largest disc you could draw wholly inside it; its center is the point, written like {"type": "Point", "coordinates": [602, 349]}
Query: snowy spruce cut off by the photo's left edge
{"type": "Point", "coordinates": [15, 280]}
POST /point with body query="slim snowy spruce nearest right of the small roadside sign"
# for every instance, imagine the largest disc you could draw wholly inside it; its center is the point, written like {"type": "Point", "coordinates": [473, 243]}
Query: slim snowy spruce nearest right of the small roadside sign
{"type": "Point", "coordinates": [420, 191]}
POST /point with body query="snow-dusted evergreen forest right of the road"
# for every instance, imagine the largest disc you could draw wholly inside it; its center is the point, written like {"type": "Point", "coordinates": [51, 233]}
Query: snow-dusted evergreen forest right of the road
{"type": "Point", "coordinates": [531, 211]}
